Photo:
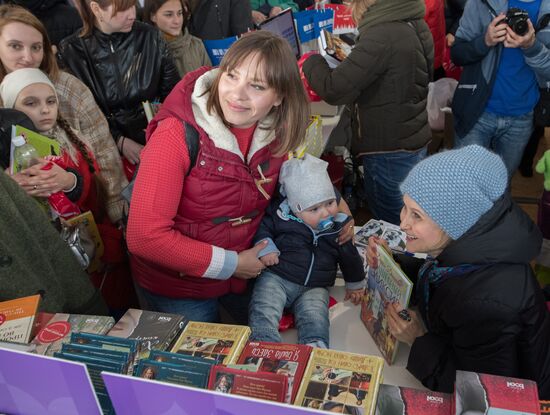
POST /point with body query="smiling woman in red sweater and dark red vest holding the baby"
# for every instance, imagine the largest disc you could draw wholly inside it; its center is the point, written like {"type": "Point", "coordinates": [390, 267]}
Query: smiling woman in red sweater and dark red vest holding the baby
{"type": "Point", "coordinates": [190, 227]}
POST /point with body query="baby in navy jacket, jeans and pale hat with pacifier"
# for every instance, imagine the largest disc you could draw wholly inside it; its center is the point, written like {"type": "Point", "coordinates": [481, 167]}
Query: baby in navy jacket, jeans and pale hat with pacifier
{"type": "Point", "coordinates": [302, 255]}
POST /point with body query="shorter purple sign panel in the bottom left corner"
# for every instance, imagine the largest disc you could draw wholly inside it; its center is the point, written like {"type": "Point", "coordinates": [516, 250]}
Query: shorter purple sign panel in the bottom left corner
{"type": "Point", "coordinates": [35, 384]}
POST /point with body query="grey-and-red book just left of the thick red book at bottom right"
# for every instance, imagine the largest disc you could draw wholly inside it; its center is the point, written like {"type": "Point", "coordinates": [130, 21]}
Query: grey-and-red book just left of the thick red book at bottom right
{"type": "Point", "coordinates": [393, 400]}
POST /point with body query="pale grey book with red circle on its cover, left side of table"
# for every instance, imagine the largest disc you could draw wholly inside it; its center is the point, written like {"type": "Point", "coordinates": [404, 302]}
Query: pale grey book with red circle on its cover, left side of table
{"type": "Point", "coordinates": [59, 329]}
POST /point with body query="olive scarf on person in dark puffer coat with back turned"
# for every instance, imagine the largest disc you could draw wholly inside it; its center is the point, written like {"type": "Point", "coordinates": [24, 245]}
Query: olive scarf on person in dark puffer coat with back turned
{"type": "Point", "coordinates": [391, 11]}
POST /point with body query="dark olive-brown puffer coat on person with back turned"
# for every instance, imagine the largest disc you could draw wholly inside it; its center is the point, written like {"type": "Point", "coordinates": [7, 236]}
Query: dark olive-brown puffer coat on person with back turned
{"type": "Point", "coordinates": [385, 78]}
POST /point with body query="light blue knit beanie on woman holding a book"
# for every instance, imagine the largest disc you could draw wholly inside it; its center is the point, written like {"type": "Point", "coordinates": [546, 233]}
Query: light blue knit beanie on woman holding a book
{"type": "Point", "coordinates": [456, 187]}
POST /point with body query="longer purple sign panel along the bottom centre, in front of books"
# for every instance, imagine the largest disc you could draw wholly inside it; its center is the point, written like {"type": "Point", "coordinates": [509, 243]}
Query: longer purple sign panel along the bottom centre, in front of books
{"type": "Point", "coordinates": [136, 396]}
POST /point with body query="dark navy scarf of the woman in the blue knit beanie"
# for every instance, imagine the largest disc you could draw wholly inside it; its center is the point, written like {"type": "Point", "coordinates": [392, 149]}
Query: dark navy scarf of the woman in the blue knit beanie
{"type": "Point", "coordinates": [431, 275]}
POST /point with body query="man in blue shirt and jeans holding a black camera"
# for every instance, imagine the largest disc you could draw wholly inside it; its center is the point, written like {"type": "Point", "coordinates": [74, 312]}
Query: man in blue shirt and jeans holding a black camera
{"type": "Point", "coordinates": [505, 58]}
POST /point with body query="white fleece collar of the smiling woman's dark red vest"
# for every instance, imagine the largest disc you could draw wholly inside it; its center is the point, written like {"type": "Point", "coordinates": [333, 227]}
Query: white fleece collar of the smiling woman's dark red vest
{"type": "Point", "coordinates": [215, 128]}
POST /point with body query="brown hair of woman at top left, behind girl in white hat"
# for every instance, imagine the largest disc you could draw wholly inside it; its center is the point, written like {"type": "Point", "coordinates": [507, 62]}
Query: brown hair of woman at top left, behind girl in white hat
{"type": "Point", "coordinates": [17, 14]}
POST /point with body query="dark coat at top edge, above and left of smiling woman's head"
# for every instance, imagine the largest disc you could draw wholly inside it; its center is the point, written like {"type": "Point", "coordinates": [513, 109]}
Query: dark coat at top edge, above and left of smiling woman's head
{"type": "Point", "coordinates": [218, 19]}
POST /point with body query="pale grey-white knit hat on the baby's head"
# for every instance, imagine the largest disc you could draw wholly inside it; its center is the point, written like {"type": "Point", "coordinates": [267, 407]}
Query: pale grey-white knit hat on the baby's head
{"type": "Point", "coordinates": [305, 182]}
